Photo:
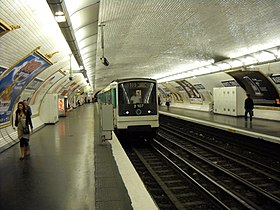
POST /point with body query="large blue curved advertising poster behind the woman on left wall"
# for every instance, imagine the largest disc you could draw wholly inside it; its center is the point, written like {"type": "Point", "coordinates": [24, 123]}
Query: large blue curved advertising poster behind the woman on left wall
{"type": "Point", "coordinates": [16, 79]}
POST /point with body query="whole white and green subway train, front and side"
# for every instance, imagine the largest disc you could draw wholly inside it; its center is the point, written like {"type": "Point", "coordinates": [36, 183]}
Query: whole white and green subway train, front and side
{"type": "Point", "coordinates": [135, 105]}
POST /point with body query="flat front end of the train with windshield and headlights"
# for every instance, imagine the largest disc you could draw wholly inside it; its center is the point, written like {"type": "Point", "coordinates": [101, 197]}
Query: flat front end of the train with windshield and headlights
{"type": "Point", "coordinates": [137, 106]}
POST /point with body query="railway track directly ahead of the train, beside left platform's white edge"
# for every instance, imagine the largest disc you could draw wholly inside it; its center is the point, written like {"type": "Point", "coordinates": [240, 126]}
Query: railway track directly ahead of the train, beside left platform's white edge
{"type": "Point", "coordinates": [170, 188]}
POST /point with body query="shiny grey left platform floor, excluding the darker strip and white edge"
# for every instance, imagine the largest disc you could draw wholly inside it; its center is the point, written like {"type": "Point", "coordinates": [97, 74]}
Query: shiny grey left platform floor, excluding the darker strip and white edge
{"type": "Point", "coordinates": [59, 174]}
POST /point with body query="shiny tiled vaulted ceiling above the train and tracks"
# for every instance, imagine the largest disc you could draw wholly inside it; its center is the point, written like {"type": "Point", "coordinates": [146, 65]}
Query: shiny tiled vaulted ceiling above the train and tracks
{"type": "Point", "coordinates": [144, 38]}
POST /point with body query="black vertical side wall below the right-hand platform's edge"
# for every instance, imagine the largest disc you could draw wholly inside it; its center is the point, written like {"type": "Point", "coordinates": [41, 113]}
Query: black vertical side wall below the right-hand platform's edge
{"type": "Point", "coordinates": [260, 151]}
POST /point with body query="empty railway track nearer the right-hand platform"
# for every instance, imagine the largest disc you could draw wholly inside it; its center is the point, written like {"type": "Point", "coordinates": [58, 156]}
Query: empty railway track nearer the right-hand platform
{"type": "Point", "coordinates": [254, 188]}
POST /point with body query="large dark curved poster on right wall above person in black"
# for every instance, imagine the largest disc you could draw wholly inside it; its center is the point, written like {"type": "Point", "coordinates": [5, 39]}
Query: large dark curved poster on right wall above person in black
{"type": "Point", "coordinates": [261, 89]}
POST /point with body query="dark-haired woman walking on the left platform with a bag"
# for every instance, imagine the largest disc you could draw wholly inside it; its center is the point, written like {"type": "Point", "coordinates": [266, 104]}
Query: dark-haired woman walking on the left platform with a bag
{"type": "Point", "coordinates": [22, 122]}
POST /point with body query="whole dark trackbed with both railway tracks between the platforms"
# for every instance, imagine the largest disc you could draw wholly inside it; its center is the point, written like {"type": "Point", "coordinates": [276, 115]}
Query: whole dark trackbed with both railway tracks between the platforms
{"type": "Point", "coordinates": [185, 171]}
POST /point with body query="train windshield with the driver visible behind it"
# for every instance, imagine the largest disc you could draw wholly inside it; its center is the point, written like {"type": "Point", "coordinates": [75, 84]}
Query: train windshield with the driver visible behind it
{"type": "Point", "coordinates": [137, 93]}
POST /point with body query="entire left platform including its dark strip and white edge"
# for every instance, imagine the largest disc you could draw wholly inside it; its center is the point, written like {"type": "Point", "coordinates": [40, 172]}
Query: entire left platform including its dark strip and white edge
{"type": "Point", "coordinates": [70, 168]}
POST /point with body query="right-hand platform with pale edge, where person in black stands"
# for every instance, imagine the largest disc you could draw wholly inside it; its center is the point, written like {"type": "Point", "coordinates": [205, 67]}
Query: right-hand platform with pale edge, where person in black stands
{"type": "Point", "coordinates": [268, 130]}
